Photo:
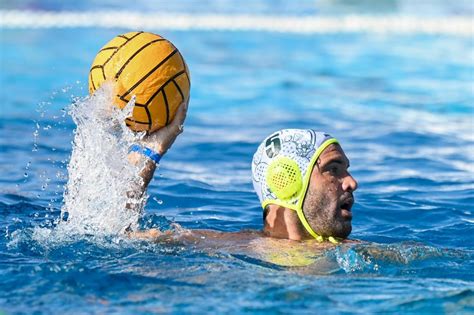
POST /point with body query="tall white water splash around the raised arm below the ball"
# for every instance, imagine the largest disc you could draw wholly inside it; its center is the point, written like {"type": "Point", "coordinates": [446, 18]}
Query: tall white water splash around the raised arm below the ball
{"type": "Point", "coordinates": [100, 176]}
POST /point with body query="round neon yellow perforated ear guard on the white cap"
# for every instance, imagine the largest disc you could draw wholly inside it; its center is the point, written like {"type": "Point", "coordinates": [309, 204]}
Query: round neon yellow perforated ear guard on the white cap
{"type": "Point", "coordinates": [284, 178]}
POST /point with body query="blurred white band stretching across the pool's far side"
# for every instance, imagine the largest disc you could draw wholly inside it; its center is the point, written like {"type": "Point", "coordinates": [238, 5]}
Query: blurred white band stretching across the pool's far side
{"type": "Point", "coordinates": [447, 25]}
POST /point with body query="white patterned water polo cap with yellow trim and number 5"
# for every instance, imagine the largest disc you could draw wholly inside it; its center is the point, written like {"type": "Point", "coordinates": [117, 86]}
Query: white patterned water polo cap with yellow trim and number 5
{"type": "Point", "coordinates": [282, 166]}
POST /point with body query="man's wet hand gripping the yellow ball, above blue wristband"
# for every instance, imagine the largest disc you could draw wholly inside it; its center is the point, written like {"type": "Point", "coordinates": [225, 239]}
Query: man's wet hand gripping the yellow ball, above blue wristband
{"type": "Point", "coordinates": [162, 139]}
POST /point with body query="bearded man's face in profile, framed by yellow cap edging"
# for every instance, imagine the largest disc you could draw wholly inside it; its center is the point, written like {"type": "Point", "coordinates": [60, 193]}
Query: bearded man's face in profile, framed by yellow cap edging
{"type": "Point", "coordinates": [328, 201]}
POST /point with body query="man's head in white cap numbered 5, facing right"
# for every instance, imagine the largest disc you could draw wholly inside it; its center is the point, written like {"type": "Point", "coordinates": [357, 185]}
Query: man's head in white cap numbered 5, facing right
{"type": "Point", "coordinates": [305, 171]}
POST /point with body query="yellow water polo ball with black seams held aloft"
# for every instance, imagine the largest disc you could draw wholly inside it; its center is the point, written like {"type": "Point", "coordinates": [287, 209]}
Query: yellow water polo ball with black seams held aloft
{"type": "Point", "coordinates": [151, 68]}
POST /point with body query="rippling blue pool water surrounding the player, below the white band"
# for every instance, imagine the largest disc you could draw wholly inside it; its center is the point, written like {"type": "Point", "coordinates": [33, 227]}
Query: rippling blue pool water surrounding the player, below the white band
{"type": "Point", "coordinates": [401, 105]}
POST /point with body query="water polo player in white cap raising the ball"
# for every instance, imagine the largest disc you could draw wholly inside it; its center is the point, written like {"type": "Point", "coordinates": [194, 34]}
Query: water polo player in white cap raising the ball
{"type": "Point", "coordinates": [300, 176]}
